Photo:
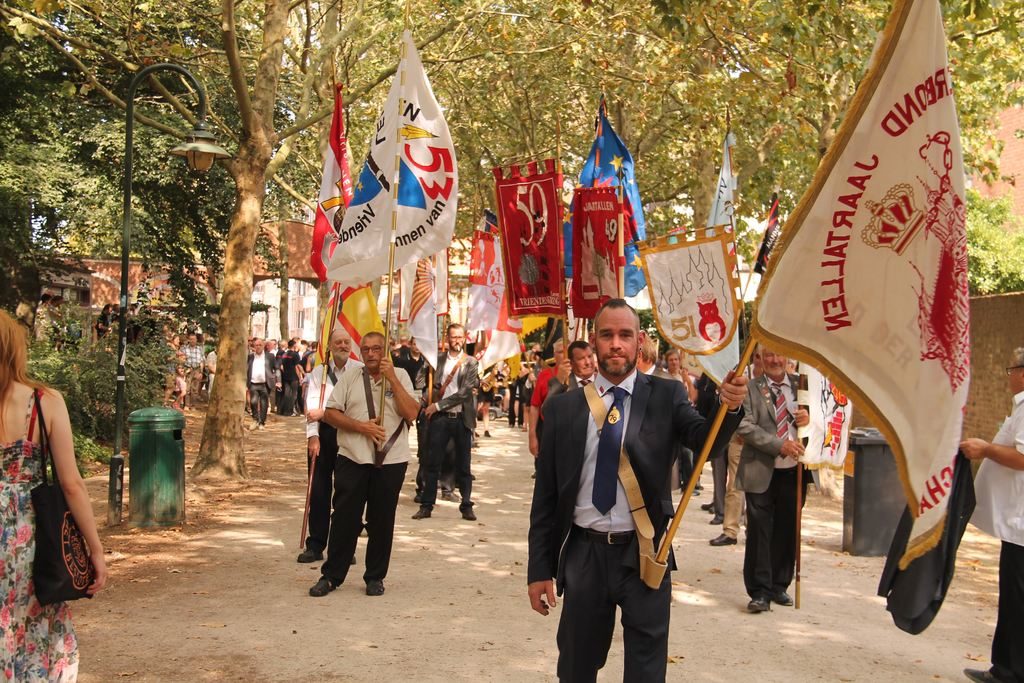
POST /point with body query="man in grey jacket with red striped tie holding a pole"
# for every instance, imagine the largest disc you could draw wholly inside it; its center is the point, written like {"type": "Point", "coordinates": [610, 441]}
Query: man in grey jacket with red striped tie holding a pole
{"type": "Point", "coordinates": [767, 475]}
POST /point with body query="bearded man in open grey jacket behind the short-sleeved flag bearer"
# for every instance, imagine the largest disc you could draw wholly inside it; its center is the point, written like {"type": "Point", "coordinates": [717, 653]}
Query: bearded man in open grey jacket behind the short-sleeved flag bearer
{"type": "Point", "coordinates": [452, 416]}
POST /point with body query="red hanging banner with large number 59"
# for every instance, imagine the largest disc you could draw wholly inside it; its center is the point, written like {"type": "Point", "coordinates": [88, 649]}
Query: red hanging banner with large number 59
{"type": "Point", "coordinates": [530, 217]}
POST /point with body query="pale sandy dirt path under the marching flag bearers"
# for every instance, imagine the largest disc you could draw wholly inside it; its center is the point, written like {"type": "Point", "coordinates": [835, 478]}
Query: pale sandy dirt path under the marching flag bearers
{"type": "Point", "coordinates": [222, 599]}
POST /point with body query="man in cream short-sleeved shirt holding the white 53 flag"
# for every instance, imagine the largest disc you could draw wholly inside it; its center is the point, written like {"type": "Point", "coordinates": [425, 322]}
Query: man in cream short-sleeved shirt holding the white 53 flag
{"type": "Point", "coordinates": [371, 465]}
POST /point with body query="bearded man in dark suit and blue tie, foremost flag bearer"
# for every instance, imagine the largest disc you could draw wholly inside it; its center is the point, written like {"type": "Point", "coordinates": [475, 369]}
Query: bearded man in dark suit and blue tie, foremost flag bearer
{"type": "Point", "coordinates": [582, 531]}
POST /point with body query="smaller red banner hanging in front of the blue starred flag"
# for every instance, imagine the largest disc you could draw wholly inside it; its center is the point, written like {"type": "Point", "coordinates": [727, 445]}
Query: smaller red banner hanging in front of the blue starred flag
{"type": "Point", "coordinates": [595, 249]}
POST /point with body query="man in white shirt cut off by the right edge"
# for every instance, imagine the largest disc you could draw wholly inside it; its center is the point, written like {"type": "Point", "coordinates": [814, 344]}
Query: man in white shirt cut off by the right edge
{"type": "Point", "coordinates": [1000, 513]}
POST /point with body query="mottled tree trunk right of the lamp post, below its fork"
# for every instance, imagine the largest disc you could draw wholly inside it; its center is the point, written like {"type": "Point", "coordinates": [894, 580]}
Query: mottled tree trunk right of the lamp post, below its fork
{"type": "Point", "coordinates": [221, 452]}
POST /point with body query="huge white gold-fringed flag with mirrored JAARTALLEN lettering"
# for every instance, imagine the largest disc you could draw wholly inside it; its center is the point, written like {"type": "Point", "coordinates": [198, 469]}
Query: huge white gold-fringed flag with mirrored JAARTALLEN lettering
{"type": "Point", "coordinates": [870, 283]}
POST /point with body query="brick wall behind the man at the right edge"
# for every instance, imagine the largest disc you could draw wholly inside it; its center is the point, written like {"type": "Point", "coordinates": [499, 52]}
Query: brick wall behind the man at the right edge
{"type": "Point", "coordinates": [997, 329]}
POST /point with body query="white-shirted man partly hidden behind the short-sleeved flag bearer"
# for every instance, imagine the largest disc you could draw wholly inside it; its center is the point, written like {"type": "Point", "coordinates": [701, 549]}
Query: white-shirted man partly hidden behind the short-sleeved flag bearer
{"type": "Point", "coordinates": [322, 442]}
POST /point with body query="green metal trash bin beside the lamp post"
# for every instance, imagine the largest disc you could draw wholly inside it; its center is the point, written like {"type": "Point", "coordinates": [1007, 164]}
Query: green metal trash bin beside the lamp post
{"type": "Point", "coordinates": [156, 467]}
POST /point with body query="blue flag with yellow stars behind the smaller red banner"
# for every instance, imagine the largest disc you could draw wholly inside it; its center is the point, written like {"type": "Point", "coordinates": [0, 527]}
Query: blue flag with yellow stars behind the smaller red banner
{"type": "Point", "coordinates": [610, 160]}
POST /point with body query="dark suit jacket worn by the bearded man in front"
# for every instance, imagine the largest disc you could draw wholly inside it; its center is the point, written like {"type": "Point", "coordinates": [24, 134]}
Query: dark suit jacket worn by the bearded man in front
{"type": "Point", "coordinates": [661, 417]}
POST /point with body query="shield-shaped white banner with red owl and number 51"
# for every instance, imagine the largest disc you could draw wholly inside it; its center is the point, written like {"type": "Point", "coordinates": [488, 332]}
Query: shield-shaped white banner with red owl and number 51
{"type": "Point", "coordinates": [693, 290]}
